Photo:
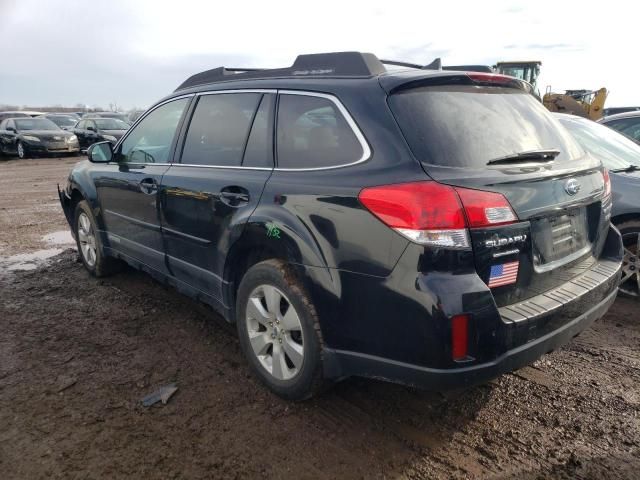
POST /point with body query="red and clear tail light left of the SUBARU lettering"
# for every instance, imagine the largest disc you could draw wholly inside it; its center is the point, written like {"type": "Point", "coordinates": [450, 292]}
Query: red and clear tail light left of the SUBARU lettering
{"type": "Point", "coordinates": [437, 215]}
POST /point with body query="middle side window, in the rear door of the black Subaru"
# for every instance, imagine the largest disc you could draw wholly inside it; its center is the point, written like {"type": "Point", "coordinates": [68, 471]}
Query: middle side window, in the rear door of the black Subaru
{"type": "Point", "coordinates": [219, 129]}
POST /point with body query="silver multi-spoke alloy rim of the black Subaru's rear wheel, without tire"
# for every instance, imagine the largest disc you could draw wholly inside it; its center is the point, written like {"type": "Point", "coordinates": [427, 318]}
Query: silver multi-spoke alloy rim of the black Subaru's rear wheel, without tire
{"type": "Point", "coordinates": [275, 332]}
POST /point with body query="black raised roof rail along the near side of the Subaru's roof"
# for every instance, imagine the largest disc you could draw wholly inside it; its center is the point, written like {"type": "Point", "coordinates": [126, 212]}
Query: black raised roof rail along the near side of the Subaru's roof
{"type": "Point", "coordinates": [338, 64]}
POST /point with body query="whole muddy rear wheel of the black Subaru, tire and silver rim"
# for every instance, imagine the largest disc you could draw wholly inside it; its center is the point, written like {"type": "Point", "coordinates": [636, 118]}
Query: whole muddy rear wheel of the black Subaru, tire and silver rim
{"type": "Point", "coordinates": [279, 331]}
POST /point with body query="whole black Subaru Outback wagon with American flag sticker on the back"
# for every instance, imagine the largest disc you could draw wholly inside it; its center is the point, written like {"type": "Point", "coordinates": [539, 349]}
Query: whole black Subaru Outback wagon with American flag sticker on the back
{"type": "Point", "coordinates": [428, 227]}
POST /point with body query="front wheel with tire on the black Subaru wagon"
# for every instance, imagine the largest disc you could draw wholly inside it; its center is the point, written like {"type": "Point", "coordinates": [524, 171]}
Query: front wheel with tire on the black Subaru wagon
{"type": "Point", "coordinates": [89, 243]}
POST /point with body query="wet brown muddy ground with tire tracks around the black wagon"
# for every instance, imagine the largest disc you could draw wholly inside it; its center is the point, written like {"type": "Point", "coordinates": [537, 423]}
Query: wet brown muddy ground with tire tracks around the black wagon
{"type": "Point", "coordinates": [77, 354]}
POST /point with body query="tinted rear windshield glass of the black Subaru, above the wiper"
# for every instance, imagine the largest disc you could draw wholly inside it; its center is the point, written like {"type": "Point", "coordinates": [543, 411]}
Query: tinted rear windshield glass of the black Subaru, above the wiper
{"type": "Point", "coordinates": [467, 126]}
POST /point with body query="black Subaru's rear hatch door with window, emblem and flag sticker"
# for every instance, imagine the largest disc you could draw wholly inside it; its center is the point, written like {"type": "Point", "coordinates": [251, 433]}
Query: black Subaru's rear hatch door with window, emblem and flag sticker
{"type": "Point", "coordinates": [481, 132]}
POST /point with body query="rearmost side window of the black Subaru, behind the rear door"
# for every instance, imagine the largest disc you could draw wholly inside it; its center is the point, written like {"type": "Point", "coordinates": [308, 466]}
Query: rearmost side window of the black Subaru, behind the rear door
{"type": "Point", "coordinates": [313, 133]}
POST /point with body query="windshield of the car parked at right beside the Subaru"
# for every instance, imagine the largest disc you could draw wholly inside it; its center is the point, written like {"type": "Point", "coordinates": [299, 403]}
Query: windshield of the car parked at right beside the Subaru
{"type": "Point", "coordinates": [613, 149]}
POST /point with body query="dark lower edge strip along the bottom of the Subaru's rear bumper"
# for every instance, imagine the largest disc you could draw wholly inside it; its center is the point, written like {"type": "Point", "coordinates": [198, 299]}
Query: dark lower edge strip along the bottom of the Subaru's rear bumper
{"type": "Point", "coordinates": [448, 379]}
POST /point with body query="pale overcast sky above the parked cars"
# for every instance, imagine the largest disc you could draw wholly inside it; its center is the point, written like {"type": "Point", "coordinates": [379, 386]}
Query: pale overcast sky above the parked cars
{"type": "Point", "coordinates": [133, 52]}
